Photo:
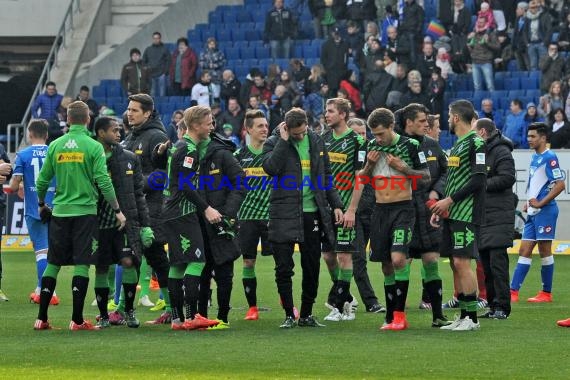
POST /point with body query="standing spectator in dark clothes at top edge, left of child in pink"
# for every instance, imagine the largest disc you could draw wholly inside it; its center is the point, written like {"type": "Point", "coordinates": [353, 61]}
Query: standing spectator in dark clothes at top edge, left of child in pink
{"type": "Point", "coordinates": [458, 30]}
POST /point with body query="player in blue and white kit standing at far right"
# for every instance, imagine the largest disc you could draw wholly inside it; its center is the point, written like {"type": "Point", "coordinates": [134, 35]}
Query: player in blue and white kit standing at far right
{"type": "Point", "coordinates": [545, 183]}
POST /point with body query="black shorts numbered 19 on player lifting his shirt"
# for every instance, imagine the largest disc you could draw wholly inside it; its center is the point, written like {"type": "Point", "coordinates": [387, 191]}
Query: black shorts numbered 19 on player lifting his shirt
{"type": "Point", "coordinates": [391, 229]}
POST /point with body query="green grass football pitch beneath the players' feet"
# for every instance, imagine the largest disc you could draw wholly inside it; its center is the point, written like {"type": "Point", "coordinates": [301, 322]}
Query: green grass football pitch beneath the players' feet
{"type": "Point", "coordinates": [527, 345]}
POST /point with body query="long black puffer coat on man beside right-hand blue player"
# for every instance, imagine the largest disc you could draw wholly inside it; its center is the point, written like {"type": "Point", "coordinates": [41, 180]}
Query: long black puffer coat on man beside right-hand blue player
{"type": "Point", "coordinates": [498, 229]}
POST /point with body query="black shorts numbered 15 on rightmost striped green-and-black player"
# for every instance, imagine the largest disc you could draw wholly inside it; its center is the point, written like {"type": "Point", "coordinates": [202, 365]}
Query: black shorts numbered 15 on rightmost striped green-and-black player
{"type": "Point", "coordinates": [459, 239]}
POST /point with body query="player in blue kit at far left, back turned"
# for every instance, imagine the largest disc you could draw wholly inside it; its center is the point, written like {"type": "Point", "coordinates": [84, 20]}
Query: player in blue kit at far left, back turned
{"type": "Point", "coordinates": [29, 162]}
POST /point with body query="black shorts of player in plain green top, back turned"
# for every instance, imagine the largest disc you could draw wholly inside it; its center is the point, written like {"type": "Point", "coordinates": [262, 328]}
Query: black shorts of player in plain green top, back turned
{"type": "Point", "coordinates": [73, 240]}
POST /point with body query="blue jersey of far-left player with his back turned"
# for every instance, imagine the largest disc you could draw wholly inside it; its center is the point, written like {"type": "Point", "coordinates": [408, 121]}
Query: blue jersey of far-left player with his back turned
{"type": "Point", "coordinates": [29, 162]}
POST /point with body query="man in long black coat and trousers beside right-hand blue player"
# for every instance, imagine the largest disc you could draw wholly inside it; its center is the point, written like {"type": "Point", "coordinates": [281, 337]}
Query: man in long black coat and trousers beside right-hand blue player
{"type": "Point", "coordinates": [497, 230]}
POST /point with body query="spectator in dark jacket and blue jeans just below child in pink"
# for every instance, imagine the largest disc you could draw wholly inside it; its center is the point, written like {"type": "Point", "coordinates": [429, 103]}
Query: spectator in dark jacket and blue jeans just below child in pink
{"type": "Point", "coordinates": [483, 45]}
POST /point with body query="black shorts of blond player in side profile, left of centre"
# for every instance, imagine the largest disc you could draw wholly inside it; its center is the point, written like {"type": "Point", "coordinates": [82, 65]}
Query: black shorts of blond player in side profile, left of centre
{"type": "Point", "coordinates": [185, 241]}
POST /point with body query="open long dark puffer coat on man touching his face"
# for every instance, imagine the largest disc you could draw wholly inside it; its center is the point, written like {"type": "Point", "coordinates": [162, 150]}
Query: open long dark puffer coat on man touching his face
{"type": "Point", "coordinates": [281, 160]}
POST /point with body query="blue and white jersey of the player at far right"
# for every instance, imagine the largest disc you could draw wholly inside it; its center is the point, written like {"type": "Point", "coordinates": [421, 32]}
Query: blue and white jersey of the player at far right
{"type": "Point", "coordinates": [544, 171]}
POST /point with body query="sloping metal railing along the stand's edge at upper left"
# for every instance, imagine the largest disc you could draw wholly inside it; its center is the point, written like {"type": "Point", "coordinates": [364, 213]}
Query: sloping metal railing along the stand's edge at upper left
{"type": "Point", "coordinates": [51, 62]}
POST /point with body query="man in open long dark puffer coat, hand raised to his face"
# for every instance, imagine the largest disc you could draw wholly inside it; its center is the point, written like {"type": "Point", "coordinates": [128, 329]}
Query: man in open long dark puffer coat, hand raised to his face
{"type": "Point", "coordinates": [301, 198]}
